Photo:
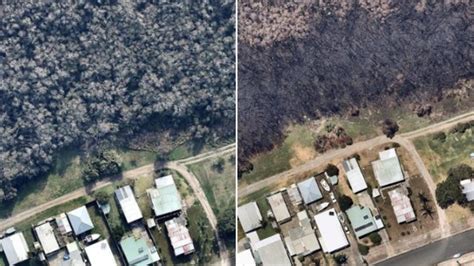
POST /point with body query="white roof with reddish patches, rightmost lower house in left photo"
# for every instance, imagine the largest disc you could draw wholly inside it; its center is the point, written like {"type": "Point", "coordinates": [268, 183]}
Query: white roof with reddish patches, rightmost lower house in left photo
{"type": "Point", "coordinates": [179, 236]}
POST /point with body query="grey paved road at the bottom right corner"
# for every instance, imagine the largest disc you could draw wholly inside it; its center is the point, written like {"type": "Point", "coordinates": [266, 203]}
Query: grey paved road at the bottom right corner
{"type": "Point", "coordinates": [435, 252]}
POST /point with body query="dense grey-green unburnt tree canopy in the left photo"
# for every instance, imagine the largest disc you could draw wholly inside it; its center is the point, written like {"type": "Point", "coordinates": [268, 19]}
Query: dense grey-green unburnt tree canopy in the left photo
{"type": "Point", "coordinates": [78, 74]}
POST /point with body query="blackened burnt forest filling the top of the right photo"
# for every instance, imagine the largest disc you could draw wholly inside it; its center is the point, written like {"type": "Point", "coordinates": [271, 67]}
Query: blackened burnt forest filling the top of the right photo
{"type": "Point", "coordinates": [351, 55]}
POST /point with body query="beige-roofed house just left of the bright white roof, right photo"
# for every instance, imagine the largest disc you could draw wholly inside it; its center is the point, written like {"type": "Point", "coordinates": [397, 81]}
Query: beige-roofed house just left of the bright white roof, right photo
{"type": "Point", "coordinates": [302, 240]}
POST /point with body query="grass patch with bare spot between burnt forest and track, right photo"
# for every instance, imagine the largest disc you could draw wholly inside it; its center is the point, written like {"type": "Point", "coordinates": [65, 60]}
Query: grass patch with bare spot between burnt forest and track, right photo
{"type": "Point", "coordinates": [296, 149]}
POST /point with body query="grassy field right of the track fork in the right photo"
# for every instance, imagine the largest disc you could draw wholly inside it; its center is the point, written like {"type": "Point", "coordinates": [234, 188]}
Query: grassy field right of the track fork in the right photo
{"type": "Point", "coordinates": [439, 156]}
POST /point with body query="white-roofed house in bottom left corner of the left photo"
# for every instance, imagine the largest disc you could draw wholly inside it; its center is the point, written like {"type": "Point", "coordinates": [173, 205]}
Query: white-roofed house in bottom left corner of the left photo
{"type": "Point", "coordinates": [15, 248]}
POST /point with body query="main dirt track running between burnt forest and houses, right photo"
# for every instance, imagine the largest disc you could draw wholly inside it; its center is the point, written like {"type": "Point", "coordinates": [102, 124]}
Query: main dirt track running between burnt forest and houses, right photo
{"type": "Point", "coordinates": [247, 189]}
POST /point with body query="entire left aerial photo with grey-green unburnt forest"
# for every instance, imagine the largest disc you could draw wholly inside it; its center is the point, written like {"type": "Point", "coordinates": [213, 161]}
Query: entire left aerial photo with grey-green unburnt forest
{"type": "Point", "coordinates": [117, 132]}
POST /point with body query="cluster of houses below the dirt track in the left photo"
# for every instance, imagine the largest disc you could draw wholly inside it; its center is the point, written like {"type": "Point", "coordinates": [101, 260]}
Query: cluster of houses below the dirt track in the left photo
{"type": "Point", "coordinates": [137, 249]}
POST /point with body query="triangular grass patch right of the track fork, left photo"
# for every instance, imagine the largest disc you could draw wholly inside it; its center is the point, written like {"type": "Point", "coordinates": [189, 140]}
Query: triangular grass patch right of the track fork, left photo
{"type": "Point", "coordinates": [218, 184]}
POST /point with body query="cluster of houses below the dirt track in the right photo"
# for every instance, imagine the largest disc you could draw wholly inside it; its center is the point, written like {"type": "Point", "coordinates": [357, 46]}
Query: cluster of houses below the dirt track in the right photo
{"type": "Point", "coordinates": [302, 239]}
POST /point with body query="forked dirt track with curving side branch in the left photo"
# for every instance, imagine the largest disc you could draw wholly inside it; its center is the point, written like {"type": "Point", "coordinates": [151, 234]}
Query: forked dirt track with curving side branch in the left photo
{"type": "Point", "coordinates": [178, 166]}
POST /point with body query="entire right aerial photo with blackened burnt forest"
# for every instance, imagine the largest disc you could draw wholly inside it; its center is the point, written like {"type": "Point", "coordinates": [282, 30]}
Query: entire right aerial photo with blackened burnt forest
{"type": "Point", "coordinates": [355, 132]}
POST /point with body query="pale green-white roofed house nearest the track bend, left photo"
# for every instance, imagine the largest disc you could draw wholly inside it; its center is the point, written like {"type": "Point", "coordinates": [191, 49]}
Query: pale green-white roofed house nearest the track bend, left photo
{"type": "Point", "coordinates": [165, 198]}
